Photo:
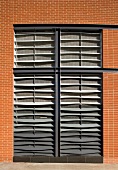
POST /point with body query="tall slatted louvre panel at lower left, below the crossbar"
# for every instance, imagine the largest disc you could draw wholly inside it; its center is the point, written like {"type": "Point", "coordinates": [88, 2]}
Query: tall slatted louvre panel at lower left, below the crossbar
{"type": "Point", "coordinates": [34, 115]}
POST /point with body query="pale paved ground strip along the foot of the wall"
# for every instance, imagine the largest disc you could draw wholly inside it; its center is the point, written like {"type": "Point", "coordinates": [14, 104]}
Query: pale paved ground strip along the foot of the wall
{"type": "Point", "coordinates": [57, 166]}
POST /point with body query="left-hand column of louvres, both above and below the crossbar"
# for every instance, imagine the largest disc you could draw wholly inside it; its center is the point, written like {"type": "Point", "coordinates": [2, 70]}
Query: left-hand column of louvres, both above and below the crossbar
{"type": "Point", "coordinates": [34, 94]}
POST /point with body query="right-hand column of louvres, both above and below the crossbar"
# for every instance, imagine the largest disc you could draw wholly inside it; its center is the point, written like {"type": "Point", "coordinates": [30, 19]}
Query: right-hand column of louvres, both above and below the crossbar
{"type": "Point", "coordinates": [80, 95]}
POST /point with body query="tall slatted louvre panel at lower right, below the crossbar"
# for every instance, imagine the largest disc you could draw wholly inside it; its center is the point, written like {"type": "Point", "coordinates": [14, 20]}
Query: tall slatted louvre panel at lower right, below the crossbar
{"type": "Point", "coordinates": [80, 115]}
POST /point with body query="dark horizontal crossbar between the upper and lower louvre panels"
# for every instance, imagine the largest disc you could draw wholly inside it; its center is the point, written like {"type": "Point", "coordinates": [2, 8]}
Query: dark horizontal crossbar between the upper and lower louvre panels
{"type": "Point", "coordinates": [63, 70]}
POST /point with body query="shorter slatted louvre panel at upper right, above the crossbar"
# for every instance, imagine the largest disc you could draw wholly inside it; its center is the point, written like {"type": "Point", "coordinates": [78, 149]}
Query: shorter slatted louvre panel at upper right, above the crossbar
{"type": "Point", "coordinates": [80, 49]}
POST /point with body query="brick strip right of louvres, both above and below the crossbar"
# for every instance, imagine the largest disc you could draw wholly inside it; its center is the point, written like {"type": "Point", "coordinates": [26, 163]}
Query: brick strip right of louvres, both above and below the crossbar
{"type": "Point", "coordinates": [110, 97]}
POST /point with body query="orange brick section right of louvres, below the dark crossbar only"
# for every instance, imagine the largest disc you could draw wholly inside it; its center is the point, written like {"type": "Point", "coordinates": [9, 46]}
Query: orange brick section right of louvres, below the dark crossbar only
{"type": "Point", "coordinates": [110, 117]}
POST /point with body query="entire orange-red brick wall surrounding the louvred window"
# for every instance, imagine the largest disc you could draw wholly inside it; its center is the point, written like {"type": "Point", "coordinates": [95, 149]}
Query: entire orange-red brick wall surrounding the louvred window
{"type": "Point", "coordinates": [55, 12]}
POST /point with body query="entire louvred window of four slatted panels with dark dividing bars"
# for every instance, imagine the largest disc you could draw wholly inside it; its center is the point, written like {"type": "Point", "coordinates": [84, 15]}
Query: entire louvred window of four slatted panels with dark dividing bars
{"type": "Point", "coordinates": [57, 101]}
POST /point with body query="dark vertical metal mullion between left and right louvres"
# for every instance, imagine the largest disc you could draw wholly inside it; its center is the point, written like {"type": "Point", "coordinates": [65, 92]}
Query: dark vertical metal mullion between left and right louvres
{"type": "Point", "coordinates": [57, 94]}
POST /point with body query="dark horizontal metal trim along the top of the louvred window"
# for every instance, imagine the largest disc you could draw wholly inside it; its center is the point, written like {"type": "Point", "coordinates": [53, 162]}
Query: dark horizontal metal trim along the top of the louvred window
{"type": "Point", "coordinates": [63, 26]}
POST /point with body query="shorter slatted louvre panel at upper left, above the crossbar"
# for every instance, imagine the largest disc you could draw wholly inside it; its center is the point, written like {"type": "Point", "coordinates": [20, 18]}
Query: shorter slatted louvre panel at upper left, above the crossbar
{"type": "Point", "coordinates": [34, 49]}
